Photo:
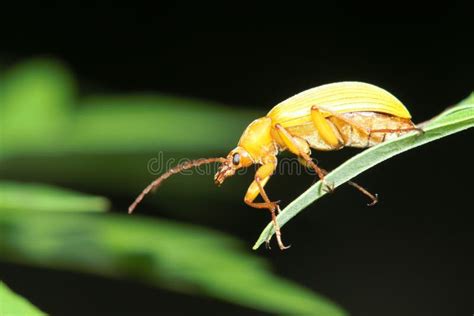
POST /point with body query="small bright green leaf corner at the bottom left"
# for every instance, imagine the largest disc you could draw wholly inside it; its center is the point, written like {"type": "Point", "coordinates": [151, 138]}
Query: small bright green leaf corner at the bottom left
{"type": "Point", "coordinates": [12, 304]}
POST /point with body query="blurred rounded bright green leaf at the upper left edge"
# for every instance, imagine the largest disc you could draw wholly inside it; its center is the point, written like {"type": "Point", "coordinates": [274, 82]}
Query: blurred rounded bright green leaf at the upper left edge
{"type": "Point", "coordinates": [35, 106]}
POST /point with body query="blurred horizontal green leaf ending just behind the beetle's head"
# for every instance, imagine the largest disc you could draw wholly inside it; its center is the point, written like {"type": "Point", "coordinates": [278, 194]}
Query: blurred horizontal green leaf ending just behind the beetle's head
{"type": "Point", "coordinates": [144, 123]}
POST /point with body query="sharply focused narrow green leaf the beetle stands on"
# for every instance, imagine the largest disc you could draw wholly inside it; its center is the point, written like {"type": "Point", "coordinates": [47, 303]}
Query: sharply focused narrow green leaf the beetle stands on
{"type": "Point", "coordinates": [453, 120]}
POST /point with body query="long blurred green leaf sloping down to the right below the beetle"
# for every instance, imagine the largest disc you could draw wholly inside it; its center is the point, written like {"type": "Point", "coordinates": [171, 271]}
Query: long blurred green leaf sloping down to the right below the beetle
{"type": "Point", "coordinates": [177, 257]}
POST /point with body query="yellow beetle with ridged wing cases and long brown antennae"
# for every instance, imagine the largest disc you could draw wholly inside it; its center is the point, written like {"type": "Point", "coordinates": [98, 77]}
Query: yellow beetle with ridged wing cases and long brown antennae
{"type": "Point", "coordinates": [328, 117]}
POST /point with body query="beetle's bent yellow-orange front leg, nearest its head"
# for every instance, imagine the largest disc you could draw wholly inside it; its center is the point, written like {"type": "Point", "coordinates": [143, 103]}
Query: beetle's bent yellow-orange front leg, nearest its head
{"type": "Point", "coordinates": [256, 187]}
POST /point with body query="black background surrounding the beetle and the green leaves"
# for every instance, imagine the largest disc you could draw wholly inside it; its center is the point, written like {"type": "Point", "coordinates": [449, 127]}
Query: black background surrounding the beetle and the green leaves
{"type": "Point", "coordinates": [409, 255]}
